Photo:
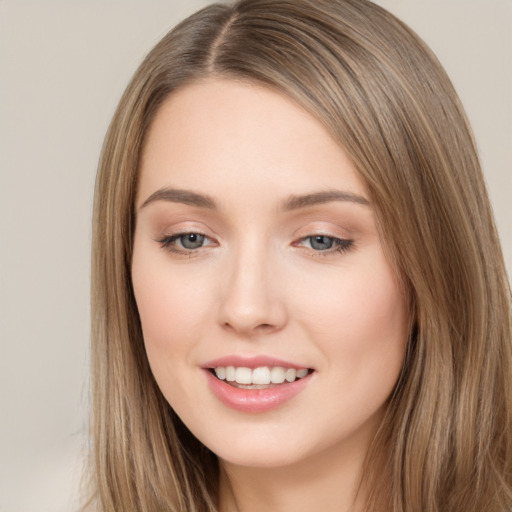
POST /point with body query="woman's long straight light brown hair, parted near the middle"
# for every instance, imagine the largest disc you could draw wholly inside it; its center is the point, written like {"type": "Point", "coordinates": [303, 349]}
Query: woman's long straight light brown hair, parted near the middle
{"type": "Point", "coordinates": [446, 441]}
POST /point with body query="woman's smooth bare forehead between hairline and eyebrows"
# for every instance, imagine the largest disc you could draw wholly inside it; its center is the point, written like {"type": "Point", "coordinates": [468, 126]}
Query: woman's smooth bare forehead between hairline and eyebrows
{"type": "Point", "coordinates": [223, 134]}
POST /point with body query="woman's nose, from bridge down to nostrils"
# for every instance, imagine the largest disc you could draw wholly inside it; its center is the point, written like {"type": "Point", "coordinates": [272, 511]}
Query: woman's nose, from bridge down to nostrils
{"type": "Point", "coordinates": [252, 295]}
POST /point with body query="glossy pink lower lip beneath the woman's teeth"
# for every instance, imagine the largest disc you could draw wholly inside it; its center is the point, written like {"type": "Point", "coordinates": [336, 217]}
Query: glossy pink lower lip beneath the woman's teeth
{"type": "Point", "coordinates": [255, 400]}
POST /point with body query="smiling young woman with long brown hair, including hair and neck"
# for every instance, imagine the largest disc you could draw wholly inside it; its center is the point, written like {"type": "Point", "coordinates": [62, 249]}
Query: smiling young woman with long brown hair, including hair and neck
{"type": "Point", "coordinates": [299, 297]}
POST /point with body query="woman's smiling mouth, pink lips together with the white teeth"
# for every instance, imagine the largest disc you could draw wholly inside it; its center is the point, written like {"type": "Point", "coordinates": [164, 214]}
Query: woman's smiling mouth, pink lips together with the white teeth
{"type": "Point", "coordinates": [257, 384]}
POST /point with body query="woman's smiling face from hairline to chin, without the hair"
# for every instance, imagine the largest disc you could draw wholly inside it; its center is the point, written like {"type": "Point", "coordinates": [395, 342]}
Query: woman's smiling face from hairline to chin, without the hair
{"type": "Point", "coordinates": [257, 256]}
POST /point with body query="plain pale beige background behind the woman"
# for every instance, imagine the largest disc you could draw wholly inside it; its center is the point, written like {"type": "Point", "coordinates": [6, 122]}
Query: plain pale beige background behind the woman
{"type": "Point", "coordinates": [63, 66]}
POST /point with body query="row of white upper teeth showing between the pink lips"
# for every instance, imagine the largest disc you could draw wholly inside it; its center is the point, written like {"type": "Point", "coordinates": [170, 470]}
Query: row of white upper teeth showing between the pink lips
{"type": "Point", "coordinates": [260, 376]}
